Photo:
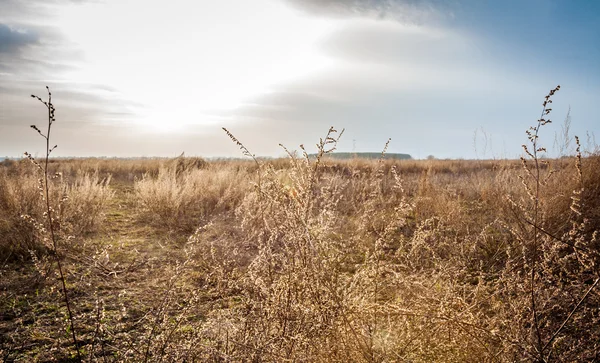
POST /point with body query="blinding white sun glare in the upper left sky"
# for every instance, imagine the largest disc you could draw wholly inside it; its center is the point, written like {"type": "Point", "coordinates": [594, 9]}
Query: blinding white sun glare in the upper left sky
{"type": "Point", "coordinates": [186, 57]}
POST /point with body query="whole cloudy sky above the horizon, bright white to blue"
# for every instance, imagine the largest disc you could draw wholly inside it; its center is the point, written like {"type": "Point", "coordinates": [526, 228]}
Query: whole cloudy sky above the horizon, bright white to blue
{"type": "Point", "coordinates": [448, 78]}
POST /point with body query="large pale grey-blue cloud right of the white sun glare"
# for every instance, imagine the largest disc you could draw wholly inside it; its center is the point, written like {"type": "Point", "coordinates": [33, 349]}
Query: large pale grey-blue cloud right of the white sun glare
{"type": "Point", "coordinates": [426, 88]}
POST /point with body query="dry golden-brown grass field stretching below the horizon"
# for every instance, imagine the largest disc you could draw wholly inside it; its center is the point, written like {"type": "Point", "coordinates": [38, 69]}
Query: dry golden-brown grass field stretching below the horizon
{"type": "Point", "coordinates": [301, 260]}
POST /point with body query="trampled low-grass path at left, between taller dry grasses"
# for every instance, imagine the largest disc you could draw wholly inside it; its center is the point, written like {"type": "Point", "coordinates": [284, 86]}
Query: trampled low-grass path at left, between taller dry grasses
{"type": "Point", "coordinates": [123, 273]}
